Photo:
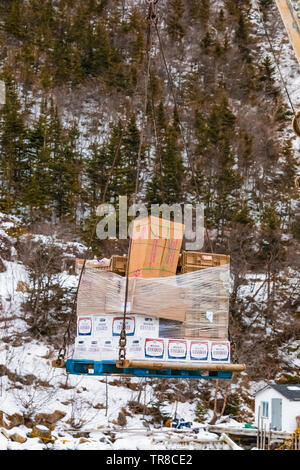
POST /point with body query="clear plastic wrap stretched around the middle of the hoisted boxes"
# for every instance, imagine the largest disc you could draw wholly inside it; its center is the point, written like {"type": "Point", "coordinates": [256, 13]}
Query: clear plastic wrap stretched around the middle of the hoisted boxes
{"type": "Point", "coordinates": [192, 305]}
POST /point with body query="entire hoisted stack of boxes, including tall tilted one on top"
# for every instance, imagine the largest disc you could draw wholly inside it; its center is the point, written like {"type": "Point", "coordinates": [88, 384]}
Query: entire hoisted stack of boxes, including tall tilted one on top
{"type": "Point", "coordinates": [169, 317]}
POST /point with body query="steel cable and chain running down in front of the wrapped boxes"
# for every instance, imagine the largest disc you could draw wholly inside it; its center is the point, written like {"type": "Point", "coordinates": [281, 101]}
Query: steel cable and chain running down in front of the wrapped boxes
{"type": "Point", "coordinates": [151, 22]}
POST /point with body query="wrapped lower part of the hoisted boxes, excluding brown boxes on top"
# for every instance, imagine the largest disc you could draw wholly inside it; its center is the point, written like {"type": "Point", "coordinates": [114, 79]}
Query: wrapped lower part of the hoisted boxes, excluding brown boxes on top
{"type": "Point", "coordinates": [164, 315]}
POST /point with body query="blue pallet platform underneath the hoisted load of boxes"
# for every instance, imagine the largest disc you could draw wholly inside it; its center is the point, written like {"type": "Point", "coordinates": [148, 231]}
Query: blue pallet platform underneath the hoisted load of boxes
{"type": "Point", "coordinates": [103, 368]}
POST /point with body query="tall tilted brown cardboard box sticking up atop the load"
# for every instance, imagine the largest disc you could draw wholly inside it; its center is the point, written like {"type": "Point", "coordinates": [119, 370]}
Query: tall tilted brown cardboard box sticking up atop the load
{"type": "Point", "coordinates": [155, 247]}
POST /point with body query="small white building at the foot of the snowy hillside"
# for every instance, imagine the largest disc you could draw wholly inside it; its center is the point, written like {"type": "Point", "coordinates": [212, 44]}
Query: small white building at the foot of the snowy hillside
{"type": "Point", "coordinates": [277, 407]}
